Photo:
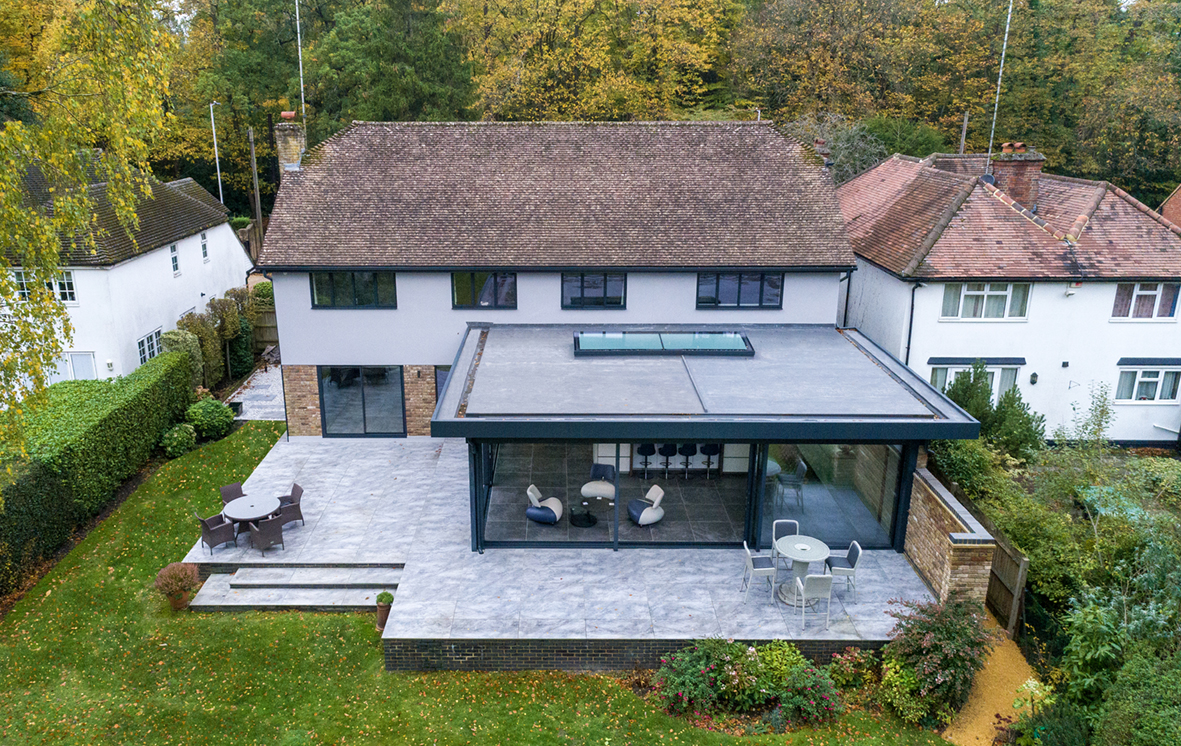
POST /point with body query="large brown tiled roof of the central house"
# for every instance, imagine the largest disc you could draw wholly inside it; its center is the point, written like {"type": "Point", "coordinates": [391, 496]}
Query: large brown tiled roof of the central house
{"type": "Point", "coordinates": [557, 195]}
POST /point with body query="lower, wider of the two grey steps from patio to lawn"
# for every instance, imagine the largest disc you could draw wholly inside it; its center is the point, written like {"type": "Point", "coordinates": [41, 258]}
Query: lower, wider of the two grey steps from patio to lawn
{"type": "Point", "coordinates": [218, 596]}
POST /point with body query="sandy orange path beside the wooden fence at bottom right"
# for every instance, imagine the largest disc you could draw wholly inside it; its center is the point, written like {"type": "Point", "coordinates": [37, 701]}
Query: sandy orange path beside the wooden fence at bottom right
{"type": "Point", "coordinates": [993, 692]}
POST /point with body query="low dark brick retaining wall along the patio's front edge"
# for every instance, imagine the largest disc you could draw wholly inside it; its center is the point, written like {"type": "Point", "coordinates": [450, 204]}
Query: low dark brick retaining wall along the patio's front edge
{"type": "Point", "coordinates": [564, 655]}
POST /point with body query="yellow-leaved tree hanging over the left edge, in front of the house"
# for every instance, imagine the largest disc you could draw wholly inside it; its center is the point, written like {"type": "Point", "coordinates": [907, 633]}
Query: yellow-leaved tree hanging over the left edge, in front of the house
{"type": "Point", "coordinates": [94, 77]}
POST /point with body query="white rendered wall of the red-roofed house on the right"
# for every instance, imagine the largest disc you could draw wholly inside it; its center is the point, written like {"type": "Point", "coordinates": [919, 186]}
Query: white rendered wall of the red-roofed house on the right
{"type": "Point", "coordinates": [1059, 329]}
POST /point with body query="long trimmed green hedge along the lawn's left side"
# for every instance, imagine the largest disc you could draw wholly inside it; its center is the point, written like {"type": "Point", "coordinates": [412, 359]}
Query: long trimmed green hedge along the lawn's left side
{"type": "Point", "coordinates": [88, 440]}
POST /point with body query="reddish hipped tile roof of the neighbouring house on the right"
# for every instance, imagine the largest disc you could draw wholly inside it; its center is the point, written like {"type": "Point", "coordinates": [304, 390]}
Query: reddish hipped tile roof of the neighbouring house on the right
{"type": "Point", "coordinates": [936, 219]}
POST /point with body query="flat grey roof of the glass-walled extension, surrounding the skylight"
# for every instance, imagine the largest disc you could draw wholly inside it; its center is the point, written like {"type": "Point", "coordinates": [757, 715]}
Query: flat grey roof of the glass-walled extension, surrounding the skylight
{"type": "Point", "coordinates": [804, 383]}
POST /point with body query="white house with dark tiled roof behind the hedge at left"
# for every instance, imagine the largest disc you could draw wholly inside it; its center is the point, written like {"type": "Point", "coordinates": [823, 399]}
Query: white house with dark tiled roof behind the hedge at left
{"type": "Point", "coordinates": [131, 290]}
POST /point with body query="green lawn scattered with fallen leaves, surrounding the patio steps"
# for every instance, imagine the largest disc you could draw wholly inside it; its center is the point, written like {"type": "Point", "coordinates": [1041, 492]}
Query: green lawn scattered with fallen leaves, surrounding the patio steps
{"type": "Point", "coordinates": [94, 655]}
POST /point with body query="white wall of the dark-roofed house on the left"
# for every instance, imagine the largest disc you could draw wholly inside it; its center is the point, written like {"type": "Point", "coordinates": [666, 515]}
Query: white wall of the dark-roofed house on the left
{"type": "Point", "coordinates": [116, 306]}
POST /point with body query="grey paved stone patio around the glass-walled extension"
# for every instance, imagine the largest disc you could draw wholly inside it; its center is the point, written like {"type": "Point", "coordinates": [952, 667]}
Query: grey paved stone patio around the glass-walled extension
{"type": "Point", "coordinates": [406, 502]}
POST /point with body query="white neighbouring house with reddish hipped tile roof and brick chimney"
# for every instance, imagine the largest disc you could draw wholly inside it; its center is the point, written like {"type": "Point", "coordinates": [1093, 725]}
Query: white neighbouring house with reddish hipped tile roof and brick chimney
{"type": "Point", "coordinates": [1056, 284]}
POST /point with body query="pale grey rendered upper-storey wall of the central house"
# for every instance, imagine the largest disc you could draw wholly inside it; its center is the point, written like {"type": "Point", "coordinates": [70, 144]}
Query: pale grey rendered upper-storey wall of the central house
{"type": "Point", "coordinates": [425, 330]}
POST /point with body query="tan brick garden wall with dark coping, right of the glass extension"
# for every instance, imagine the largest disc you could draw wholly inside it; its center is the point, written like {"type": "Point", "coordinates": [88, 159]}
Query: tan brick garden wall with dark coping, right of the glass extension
{"type": "Point", "coordinates": [947, 545]}
